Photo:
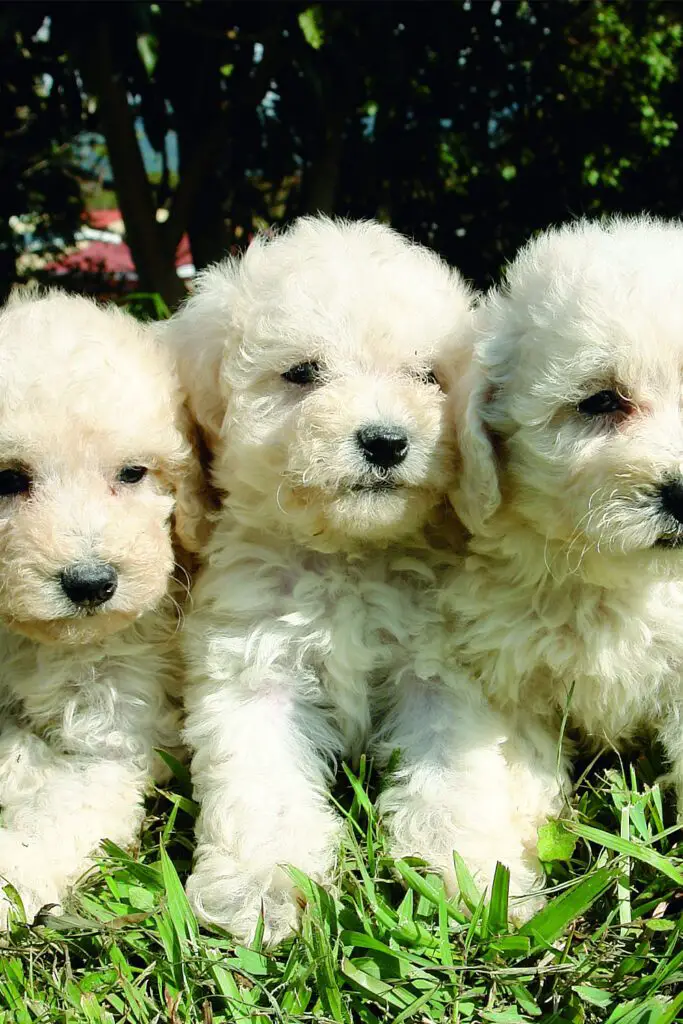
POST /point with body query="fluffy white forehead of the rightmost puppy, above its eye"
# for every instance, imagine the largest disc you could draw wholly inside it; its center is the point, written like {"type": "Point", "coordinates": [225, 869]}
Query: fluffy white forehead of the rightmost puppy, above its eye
{"type": "Point", "coordinates": [599, 300]}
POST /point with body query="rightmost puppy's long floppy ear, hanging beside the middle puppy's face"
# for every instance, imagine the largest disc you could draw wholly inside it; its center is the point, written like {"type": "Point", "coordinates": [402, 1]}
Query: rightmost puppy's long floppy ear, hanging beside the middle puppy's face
{"type": "Point", "coordinates": [477, 495]}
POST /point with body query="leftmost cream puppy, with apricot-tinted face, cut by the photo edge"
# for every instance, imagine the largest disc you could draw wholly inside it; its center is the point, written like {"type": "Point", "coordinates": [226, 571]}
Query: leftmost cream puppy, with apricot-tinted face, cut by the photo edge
{"type": "Point", "coordinates": [95, 464]}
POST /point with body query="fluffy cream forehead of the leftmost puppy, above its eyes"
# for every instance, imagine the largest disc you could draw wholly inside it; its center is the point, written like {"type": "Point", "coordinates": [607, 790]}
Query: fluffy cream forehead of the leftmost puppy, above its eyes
{"type": "Point", "coordinates": [70, 372]}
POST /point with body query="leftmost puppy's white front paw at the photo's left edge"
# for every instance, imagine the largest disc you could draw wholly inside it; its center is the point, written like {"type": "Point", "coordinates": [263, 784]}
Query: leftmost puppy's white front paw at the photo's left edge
{"type": "Point", "coordinates": [24, 868]}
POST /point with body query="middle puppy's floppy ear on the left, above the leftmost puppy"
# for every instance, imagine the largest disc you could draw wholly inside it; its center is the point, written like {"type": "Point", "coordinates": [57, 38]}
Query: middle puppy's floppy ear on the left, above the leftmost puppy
{"type": "Point", "coordinates": [198, 336]}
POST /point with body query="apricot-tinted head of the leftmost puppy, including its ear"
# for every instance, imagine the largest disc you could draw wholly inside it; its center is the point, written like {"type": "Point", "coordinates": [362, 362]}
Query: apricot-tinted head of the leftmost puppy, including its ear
{"type": "Point", "coordinates": [94, 463]}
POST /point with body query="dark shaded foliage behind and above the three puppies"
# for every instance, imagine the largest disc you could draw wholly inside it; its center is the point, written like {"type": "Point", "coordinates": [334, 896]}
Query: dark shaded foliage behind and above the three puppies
{"type": "Point", "coordinates": [468, 125]}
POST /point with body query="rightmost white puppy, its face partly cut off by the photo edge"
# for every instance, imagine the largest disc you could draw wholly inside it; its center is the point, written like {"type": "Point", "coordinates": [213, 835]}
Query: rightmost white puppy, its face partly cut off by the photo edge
{"type": "Point", "coordinates": [572, 433]}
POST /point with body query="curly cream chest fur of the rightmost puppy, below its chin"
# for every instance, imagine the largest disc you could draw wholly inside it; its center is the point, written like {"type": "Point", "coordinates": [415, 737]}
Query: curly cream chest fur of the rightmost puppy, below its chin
{"type": "Point", "coordinates": [615, 665]}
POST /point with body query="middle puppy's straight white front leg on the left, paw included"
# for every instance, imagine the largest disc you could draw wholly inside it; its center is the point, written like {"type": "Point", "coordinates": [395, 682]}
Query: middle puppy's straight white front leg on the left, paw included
{"type": "Point", "coordinates": [261, 773]}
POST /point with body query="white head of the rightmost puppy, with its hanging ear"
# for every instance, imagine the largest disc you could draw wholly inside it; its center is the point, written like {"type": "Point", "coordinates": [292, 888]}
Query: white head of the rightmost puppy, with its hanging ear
{"type": "Point", "coordinates": [573, 405]}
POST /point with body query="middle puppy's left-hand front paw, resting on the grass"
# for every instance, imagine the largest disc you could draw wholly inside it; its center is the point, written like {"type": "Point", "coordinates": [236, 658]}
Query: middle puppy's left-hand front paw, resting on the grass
{"type": "Point", "coordinates": [225, 892]}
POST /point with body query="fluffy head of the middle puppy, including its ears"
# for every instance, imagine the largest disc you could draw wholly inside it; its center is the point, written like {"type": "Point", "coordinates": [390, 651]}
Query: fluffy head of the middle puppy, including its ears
{"type": "Point", "coordinates": [319, 363]}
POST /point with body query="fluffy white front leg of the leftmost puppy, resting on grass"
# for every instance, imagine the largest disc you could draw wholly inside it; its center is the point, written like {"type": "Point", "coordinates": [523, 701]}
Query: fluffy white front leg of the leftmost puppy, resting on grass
{"type": "Point", "coordinates": [58, 808]}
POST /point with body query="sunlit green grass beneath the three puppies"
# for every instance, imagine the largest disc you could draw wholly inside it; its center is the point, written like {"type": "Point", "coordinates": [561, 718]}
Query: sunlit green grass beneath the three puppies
{"type": "Point", "coordinates": [387, 946]}
